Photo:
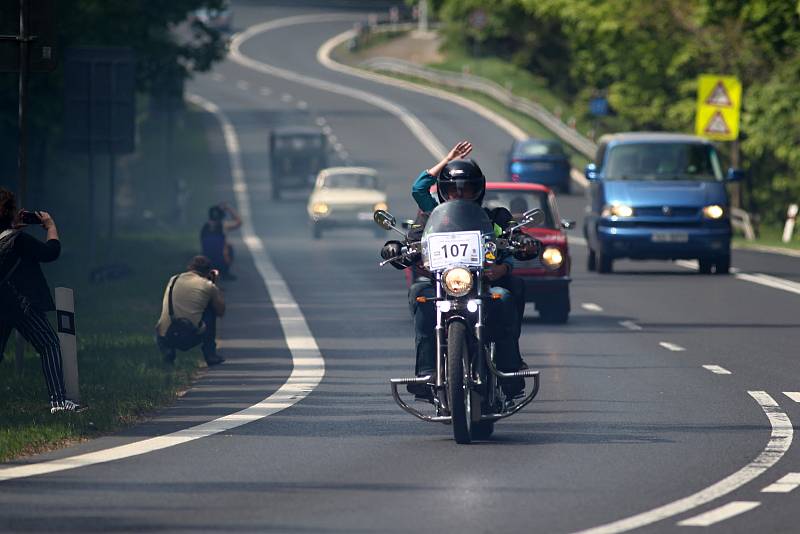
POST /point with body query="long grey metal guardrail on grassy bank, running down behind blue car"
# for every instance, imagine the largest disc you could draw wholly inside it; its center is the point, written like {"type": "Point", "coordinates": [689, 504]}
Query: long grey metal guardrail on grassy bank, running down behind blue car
{"type": "Point", "coordinates": [492, 89]}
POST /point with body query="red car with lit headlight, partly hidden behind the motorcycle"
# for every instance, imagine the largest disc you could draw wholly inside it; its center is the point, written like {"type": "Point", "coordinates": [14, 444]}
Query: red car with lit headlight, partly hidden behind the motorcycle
{"type": "Point", "coordinates": [547, 277]}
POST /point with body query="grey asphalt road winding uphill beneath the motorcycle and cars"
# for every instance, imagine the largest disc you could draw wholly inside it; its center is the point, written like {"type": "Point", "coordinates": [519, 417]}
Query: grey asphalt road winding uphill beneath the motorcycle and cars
{"type": "Point", "coordinates": [625, 424]}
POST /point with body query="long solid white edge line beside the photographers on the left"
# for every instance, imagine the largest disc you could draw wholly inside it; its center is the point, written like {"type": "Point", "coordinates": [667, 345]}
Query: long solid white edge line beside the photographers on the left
{"type": "Point", "coordinates": [308, 366]}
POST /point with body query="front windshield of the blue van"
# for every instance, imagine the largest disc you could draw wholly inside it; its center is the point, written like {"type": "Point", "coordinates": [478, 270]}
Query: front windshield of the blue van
{"type": "Point", "coordinates": [663, 161]}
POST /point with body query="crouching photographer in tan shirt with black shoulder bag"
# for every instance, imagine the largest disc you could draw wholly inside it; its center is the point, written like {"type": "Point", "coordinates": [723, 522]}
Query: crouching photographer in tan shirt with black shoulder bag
{"type": "Point", "coordinates": [191, 304]}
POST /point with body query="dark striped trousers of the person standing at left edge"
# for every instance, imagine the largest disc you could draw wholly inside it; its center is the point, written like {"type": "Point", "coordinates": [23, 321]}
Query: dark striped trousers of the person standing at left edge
{"type": "Point", "coordinates": [37, 331]}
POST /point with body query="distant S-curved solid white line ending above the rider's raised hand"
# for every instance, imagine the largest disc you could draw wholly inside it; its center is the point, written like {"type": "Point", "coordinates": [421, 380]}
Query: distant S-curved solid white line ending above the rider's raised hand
{"type": "Point", "coordinates": [425, 136]}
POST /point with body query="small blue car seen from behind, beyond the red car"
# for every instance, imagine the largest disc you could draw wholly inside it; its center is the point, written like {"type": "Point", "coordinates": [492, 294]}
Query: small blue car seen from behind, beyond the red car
{"type": "Point", "coordinates": [541, 161]}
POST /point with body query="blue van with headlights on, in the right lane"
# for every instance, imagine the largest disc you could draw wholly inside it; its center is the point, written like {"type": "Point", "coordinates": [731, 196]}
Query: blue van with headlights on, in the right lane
{"type": "Point", "coordinates": [658, 196]}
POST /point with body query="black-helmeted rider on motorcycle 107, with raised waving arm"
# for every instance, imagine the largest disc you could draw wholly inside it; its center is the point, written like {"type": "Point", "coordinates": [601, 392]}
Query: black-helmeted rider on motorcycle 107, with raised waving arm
{"type": "Point", "coordinates": [458, 178]}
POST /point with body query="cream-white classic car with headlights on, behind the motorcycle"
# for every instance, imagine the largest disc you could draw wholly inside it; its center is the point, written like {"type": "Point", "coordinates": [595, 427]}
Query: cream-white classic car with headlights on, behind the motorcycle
{"type": "Point", "coordinates": [346, 197]}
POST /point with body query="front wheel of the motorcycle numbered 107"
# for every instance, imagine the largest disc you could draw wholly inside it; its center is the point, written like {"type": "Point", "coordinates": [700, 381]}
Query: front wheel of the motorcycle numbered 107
{"type": "Point", "coordinates": [460, 395]}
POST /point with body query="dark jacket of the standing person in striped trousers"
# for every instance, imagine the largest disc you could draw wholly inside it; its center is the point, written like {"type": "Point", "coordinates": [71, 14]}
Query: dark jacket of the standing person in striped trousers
{"type": "Point", "coordinates": [28, 278]}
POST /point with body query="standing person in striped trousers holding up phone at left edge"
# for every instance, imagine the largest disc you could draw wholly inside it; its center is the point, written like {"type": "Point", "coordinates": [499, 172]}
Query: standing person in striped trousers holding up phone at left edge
{"type": "Point", "coordinates": [25, 296]}
